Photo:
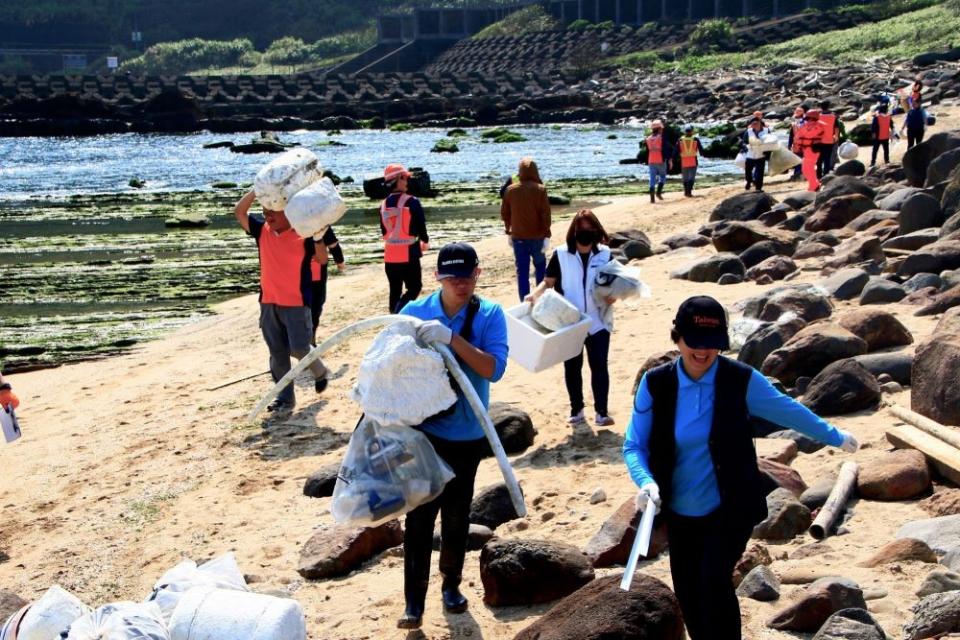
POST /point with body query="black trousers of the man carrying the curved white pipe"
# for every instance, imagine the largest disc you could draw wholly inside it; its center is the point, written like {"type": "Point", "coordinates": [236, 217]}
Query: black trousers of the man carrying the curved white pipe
{"type": "Point", "coordinates": [453, 505]}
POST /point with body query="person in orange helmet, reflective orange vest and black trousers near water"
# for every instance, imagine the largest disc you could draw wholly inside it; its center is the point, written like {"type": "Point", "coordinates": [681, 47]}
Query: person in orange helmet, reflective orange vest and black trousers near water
{"type": "Point", "coordinates": [404, 230]}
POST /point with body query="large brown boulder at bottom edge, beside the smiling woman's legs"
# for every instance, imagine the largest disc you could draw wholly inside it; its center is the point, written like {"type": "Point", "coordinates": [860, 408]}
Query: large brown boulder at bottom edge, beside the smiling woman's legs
{"type": "Point", "coordinates": [601, 611]}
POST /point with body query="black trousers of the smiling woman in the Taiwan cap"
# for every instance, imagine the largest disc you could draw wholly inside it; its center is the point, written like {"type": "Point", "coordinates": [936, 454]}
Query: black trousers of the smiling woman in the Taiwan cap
{"type": "Point", "coordinates": [703, 554]}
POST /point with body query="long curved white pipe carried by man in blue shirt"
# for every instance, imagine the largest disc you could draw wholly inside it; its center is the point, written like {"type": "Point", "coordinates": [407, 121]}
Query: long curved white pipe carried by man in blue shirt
{"type": "Point", "coordinates": [516, 497]}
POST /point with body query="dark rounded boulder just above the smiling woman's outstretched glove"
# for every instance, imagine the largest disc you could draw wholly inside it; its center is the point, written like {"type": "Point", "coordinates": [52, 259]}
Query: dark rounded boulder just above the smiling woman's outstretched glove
{"type": "Point", "coordinates": [842, 387]}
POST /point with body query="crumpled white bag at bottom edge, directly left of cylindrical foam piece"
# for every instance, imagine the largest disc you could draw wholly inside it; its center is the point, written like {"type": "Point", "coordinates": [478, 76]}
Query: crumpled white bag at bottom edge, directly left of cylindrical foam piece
{"type": "Point", "coordinates": [121, 621]}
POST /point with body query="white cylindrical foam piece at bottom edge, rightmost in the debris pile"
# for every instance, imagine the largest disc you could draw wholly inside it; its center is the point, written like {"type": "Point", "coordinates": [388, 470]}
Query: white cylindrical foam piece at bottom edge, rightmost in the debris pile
{"type": "Point", "coordinates": [218, 614]}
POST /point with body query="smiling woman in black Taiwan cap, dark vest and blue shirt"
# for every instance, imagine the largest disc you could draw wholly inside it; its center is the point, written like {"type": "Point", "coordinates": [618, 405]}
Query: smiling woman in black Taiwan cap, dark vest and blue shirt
{"type": "Point", "coordinates": [689, 447]}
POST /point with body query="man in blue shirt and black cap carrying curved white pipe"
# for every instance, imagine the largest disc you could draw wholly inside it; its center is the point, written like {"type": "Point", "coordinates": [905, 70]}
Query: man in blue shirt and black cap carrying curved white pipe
{"type": "Point", "coordinates": [476, 331]}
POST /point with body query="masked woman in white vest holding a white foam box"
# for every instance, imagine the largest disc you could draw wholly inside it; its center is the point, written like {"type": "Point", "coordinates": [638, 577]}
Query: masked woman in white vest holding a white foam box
{"type": "Point", "coordinates": [572, 271]}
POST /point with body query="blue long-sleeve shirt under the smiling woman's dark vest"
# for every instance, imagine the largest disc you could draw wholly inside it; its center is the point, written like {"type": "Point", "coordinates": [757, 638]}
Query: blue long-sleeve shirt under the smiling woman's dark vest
{"type": "Point", "coordinates": [695, 491]}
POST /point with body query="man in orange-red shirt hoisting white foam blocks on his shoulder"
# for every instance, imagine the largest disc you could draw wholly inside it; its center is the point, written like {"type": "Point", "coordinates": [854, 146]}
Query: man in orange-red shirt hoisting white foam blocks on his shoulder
{"type": "Point", "coordinates": [285, 294]}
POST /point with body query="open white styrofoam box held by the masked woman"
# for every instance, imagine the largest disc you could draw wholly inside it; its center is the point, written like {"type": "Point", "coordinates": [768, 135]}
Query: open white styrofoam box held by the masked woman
{"type": "Point", "coordinates": [535, 350]}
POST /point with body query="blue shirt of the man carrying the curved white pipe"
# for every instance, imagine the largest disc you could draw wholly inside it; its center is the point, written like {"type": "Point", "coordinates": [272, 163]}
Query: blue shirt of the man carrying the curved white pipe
{"type": "Point", "coordinates": [489, 334]}
